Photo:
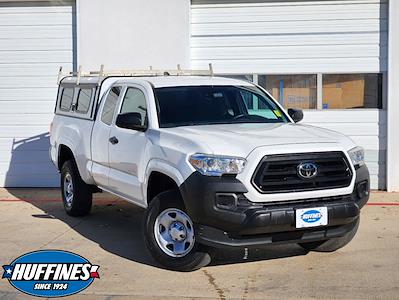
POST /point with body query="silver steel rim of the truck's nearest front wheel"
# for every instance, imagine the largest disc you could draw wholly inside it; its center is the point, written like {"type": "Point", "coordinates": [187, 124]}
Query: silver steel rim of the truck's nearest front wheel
{"type": "Point", "coordinates": [174, 232]}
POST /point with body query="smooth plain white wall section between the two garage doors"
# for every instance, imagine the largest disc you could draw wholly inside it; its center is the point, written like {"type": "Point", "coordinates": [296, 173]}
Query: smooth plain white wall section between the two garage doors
{"type": "Point", "coordinates": [133, 33]}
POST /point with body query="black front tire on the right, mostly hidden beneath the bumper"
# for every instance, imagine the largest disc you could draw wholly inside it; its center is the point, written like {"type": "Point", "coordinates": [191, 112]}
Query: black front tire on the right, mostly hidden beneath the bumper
{"type": "Point", "coordinates": [334, 244]}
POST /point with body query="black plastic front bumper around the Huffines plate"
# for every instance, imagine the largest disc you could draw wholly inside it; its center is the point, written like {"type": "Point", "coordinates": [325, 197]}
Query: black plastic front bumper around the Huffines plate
{"type": "Point", "coordinates": [252, 224]}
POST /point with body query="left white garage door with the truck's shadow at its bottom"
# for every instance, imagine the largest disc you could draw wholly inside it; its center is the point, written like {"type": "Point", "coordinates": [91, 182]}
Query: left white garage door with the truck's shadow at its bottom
{"type": "Point", "coordinates": [35, 39]}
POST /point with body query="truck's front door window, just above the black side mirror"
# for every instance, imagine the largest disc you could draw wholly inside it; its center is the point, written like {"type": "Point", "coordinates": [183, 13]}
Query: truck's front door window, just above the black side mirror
{"type": "Point", "coordinates": [134, 101]}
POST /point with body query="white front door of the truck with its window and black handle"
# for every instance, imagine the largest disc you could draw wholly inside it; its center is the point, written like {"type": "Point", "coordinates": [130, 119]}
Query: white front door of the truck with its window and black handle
{"type": "Point", "coordinates": [126, 148]}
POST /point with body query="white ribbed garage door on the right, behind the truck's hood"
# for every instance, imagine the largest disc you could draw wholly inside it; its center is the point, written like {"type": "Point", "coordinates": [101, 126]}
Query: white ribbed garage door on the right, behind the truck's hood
{"type": "Point", "coordinates": [301, 37]}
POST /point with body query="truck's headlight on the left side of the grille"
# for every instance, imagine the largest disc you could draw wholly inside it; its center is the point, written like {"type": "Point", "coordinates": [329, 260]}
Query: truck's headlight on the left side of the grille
{"type": "Point", "coordinates": [213, 165]}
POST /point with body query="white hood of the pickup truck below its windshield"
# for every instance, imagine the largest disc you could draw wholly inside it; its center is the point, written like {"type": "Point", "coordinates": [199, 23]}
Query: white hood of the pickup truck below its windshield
{"type": "Point", "coordinates": [242, 139]}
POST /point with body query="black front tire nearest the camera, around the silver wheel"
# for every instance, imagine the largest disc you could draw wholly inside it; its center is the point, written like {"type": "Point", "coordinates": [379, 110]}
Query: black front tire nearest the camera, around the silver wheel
{"type": "Point", "coordinates": [194, 259]}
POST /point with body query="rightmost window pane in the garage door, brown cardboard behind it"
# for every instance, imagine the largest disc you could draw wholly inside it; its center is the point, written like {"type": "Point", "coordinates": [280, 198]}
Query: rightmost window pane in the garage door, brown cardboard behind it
{"type": "Point", "coordinates": [342, 91]}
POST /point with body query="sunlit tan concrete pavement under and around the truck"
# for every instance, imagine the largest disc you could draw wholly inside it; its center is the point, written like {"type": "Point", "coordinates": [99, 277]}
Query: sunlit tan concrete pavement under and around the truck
{"type": "Point", "coordinates": [367, 268]}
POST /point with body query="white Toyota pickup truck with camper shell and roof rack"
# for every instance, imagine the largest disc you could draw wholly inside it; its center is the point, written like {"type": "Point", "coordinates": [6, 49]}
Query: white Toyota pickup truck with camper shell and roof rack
{"type": "Point", "coordinates": [216, 162]}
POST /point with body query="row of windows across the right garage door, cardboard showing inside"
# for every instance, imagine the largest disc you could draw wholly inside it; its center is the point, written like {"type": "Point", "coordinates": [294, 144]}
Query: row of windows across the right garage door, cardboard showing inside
{"type": "Point", "coordinates": [339, 91]}
